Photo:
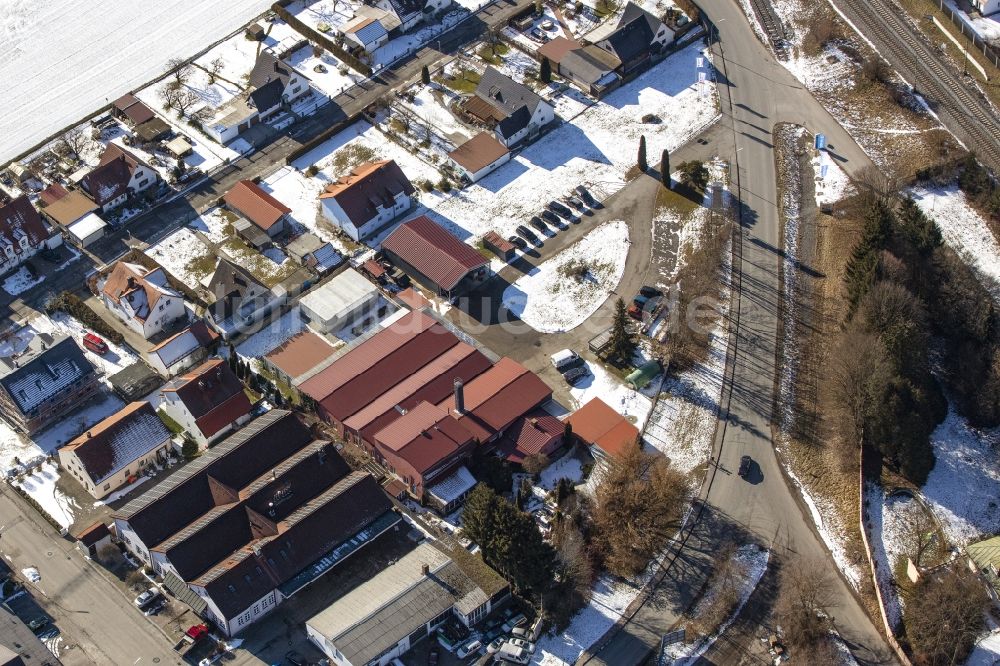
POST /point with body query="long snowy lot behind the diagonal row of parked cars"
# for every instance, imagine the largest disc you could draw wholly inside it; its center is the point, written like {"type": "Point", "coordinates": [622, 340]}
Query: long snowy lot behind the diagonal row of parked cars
{"type": "Point", "coordinates": [596, 149]}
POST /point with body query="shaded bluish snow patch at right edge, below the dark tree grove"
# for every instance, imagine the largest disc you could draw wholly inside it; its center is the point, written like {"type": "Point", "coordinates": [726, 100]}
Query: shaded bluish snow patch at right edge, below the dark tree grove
{"type": "Point", "coordinates": [964, 485]}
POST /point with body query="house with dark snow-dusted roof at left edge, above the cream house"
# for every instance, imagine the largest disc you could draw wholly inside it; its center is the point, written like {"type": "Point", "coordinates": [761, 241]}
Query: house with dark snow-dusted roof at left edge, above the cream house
{"type": "Point", "coordinates": [42, 379]}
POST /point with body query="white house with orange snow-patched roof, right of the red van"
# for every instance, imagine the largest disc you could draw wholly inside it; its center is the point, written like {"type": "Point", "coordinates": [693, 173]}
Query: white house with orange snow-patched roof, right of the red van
{"type": "Point", "coordinates": [141, 298]}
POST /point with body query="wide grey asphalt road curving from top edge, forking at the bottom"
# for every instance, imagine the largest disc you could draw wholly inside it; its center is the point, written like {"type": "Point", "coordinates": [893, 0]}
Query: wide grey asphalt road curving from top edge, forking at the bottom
{"type": "Point", "coordinates": [756, 94]}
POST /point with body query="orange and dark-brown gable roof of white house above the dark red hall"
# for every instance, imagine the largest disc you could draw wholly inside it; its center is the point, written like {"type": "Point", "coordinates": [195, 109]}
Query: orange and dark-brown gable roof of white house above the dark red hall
{"type": "Point", "coordinates": [368, 186]}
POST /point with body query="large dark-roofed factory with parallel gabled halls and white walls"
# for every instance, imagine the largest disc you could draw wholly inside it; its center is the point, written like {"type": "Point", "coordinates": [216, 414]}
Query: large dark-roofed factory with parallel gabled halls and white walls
{"type": "Point", "coordinates": [253, 520]}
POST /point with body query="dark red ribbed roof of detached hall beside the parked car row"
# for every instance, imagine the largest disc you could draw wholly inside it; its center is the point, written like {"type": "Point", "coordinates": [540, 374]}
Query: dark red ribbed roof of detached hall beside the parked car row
{"type": "Point", "coordinates": [428, 247]}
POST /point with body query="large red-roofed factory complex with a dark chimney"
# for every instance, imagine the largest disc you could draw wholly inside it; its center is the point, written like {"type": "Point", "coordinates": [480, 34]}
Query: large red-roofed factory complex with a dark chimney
{"type": "Point", "coordinates": [421, 400]}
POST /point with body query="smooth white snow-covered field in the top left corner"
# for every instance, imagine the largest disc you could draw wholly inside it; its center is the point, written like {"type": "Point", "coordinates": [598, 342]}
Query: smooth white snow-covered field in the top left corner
{"type": "Point", "coordinates": [58, 43]}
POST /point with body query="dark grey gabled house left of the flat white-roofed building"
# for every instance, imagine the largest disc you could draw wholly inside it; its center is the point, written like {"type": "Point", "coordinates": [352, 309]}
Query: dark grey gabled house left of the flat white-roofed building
{"type": "Point", "coordinates": [240, 300]}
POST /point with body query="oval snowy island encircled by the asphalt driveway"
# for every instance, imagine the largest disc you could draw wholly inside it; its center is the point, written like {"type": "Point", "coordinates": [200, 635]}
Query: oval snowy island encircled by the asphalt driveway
{"type": "Point", "coordinates": [550, 301]}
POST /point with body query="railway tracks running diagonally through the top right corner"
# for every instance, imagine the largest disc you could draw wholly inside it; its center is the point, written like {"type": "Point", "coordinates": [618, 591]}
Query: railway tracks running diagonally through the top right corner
{"type": "Point", "coordinates": [943, 88]}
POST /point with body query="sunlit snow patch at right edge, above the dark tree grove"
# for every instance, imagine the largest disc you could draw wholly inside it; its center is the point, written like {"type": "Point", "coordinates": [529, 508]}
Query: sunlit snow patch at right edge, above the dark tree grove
{"type": "Point", "coordinates": [965, 230]}
